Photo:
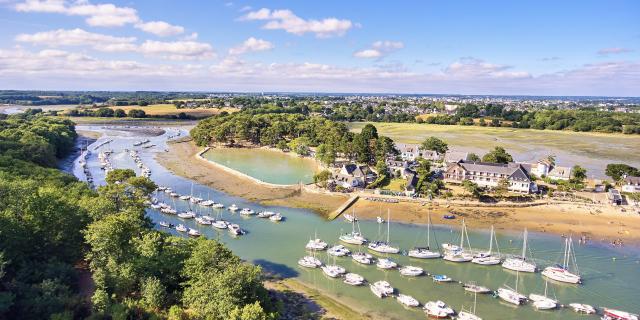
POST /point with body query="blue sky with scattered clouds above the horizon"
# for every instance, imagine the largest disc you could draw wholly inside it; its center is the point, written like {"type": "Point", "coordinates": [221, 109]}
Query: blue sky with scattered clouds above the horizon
{"type": "Point", "coordinates": [459, 47]}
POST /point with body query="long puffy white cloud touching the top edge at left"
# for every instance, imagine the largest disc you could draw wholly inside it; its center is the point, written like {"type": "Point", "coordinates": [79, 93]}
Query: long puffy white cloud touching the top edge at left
{"type": "Point", "coordinates": [99, 15]}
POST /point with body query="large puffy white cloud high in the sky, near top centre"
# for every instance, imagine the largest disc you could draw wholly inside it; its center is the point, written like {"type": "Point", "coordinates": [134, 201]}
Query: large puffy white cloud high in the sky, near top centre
{"type": "Point", "coordinates": [286, 20]}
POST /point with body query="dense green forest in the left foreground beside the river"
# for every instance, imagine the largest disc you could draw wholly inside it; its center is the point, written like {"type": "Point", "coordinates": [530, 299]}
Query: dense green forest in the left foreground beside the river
{"type": "Point", "coordinates": [56, 234]}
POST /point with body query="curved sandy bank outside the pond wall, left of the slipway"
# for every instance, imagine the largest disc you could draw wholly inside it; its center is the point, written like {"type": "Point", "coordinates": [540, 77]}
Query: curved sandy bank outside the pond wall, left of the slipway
{"type": "Point", "coordinates": [182, 159]}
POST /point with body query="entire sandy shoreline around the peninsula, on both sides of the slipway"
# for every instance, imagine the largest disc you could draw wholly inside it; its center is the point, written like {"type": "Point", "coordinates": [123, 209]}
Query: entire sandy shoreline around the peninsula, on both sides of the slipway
{"type": "Point", "coordinates": [601, 223]}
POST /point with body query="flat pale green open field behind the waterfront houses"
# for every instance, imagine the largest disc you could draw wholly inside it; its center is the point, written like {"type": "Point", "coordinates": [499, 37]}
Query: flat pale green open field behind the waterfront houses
{"type": "Point", "coordinates": [591, 150]}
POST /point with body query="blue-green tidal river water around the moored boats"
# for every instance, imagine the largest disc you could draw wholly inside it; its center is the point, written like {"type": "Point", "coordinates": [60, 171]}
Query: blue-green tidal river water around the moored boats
{"type": "Point", "coordinates": [611, 275]}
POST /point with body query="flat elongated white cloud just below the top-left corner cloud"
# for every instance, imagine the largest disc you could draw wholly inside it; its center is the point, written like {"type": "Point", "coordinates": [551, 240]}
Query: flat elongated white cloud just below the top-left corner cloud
{"type": "Point", "coordinates": [74, 37]}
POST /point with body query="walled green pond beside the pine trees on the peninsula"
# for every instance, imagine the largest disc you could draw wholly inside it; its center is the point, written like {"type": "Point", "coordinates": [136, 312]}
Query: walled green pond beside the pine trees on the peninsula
{"type": "Point", "coordinates": [265, 165]}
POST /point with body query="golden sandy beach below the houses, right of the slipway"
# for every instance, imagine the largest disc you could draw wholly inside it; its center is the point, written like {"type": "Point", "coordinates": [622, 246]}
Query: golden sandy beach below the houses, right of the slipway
{"type": "Point", "coordinates": [601, 223]}
